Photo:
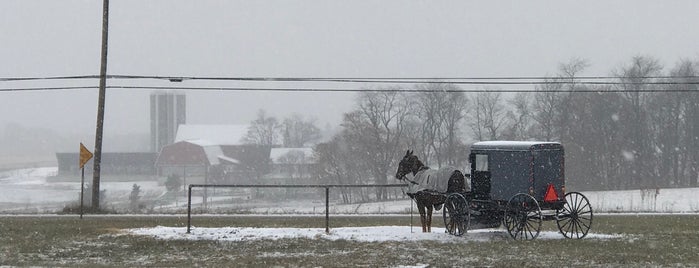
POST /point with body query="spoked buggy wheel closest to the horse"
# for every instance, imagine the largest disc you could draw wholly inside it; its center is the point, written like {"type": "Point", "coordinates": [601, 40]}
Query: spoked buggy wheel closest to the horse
{"type": "Point", "coordinates": [457, 217]}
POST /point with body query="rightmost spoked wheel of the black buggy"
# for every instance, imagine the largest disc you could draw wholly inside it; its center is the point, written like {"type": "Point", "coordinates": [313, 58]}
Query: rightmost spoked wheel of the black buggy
{"type": "Point", "coordinates": [575, 218]}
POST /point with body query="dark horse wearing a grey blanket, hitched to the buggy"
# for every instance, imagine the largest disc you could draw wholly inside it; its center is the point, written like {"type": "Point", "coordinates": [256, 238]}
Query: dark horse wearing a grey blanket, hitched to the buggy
{"type": "Point", "coordinates": [429, 187]}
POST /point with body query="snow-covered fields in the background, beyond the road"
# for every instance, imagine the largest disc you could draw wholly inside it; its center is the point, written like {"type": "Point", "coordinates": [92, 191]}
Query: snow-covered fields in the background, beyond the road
{"type": "Point", "coordinates": [32, 191]}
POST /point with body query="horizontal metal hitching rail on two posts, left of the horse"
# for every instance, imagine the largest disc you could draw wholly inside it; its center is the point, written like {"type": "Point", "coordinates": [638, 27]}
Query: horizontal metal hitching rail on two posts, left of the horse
{"type": "Point", "coordinates": [326, 186]}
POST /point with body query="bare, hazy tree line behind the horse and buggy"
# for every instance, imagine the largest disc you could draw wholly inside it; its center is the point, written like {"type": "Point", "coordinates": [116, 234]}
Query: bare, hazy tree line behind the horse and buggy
{"type": "Point", "coordinates": [631, 134]}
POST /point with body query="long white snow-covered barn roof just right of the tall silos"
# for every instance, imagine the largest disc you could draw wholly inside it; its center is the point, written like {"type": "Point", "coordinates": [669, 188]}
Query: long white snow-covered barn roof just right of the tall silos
{"type": "Point", "coordinates": [214, 134]}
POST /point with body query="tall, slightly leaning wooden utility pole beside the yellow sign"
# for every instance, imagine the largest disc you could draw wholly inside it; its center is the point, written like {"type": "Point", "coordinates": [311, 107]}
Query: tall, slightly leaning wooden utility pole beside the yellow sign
{"type": "Point", "coordinates": [100, 108]}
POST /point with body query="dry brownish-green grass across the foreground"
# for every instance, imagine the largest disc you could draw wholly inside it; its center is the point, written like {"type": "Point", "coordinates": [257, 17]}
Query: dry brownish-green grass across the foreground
{"type": "Point", "coordinates": [68, 241]}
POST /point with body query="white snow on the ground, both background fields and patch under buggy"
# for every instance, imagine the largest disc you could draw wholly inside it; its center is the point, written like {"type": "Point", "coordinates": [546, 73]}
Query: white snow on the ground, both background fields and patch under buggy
{"type": "Point", "coordinates": [32, 190]}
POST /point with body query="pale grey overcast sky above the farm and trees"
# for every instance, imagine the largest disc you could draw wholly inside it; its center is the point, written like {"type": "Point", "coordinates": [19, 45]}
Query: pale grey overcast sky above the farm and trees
{"type": "Point", "coordinates": [309, 39]}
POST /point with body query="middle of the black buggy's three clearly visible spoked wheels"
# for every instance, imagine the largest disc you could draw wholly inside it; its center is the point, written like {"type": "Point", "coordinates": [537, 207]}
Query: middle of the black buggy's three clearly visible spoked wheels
{"type": "Point", "coordinates": [523, 217]}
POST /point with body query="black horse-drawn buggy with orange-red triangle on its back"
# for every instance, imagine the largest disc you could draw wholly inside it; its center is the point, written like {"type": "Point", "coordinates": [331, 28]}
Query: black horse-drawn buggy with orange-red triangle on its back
{"type": "Point", "coordinates": [518, 184]}
